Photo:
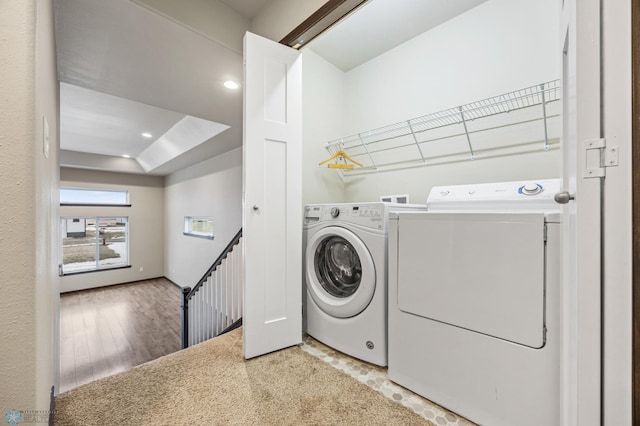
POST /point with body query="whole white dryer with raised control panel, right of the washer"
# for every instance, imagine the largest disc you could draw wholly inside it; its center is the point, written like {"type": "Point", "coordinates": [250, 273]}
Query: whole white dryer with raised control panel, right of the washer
{"type": "Point", "coordinates": [474, 302]}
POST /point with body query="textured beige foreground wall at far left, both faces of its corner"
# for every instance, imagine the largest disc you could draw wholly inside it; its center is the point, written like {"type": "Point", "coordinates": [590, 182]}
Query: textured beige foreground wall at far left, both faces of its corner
{"type": "Point", "coordinates": [28, 180]}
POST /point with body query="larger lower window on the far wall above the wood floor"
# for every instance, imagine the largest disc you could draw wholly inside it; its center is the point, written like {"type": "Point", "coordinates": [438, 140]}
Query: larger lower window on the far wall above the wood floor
{"type": "Point", "coordinates": [94, 243]}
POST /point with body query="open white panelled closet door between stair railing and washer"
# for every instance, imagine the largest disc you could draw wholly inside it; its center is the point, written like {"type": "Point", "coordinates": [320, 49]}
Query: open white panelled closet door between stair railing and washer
{"type": "Point", "coordinates": [272, 198]}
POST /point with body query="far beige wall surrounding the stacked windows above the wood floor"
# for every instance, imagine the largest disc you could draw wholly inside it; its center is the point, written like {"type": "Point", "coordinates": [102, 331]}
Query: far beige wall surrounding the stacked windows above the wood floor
{"type": "Point", "coordinates": [146, 225]}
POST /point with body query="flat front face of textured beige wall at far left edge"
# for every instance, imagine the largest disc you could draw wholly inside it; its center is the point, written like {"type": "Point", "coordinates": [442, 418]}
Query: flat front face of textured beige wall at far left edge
{"type": "Point", "coordinates": [17, 209]}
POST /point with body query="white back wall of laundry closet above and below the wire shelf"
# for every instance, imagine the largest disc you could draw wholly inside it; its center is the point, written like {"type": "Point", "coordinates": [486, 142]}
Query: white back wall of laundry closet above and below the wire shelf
{"type": "Point", "coordinates": [497, 47]}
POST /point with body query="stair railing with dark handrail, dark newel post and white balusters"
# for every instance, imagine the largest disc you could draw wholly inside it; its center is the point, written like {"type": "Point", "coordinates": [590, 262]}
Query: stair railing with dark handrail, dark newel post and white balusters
{"type": "Point", "coordinates": [214, 305]}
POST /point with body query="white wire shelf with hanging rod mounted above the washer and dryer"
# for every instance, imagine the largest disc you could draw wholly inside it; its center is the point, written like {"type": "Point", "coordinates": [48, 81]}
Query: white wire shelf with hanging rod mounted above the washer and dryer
{"type": "Point", "coordinates": [459, 124]}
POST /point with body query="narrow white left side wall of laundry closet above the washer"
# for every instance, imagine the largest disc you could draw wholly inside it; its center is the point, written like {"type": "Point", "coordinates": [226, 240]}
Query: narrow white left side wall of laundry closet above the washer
{"type": "Point", "coordinates": [322, 120]}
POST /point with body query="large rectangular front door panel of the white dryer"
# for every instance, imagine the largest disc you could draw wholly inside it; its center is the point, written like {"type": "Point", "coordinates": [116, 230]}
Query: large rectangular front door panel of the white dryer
{"type": "Point", "coordinates": [484, 272]}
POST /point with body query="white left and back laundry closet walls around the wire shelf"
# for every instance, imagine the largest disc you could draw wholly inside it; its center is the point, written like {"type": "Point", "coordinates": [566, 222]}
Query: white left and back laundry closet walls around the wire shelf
{"type": "Point", "coordinates": [493, 47]}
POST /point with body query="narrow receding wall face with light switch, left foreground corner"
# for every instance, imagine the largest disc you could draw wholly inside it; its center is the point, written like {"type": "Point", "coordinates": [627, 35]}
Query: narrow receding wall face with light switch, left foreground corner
{"type": "Point", "coordinates": [45, 167]}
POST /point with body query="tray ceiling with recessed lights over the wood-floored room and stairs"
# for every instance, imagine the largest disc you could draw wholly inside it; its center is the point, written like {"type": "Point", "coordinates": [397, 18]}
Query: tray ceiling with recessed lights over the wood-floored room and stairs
{"type": "Point", "coordinates": [126, 70]}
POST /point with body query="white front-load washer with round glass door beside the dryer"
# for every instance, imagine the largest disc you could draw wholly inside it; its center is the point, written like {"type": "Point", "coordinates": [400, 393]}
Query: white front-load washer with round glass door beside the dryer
{"type": "Point", "coordinates": [345, 274]}
